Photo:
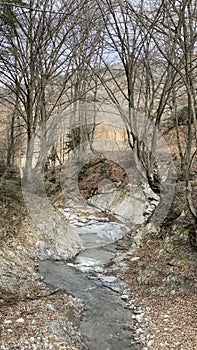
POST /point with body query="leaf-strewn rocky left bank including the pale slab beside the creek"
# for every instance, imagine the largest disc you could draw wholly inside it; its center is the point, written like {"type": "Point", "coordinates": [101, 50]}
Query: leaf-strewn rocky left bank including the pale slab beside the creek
{"type": "Point", "coordinates": [47, 236]}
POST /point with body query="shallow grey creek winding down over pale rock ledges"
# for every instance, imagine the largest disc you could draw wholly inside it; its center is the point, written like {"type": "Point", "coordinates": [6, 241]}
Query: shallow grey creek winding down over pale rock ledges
{"type": "Point", "coordinates": [105, 322]}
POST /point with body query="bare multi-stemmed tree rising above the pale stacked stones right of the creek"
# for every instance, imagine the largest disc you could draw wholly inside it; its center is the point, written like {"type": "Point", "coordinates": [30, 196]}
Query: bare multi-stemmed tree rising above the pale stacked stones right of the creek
{"type": "Point", "coordinates": [136, 77]}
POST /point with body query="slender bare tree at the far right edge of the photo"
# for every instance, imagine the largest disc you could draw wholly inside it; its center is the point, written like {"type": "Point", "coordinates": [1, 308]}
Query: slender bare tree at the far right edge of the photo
{"type": "Point", "coordinates": [179, 23]}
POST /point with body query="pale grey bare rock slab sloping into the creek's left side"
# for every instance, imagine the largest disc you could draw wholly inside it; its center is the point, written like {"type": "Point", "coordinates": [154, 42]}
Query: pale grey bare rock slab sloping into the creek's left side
{"type": "Point", "coordinates": [56, 240]}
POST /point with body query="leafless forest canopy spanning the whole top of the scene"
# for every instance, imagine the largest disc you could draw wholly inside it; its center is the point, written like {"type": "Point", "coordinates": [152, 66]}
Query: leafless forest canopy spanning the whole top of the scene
{"type": "Point", "coordinates": [135, 55]}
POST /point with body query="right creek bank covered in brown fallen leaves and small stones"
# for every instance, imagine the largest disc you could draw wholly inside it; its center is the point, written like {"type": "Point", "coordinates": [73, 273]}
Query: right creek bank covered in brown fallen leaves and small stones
{"type": "Point", "coordinates": [163, 277]}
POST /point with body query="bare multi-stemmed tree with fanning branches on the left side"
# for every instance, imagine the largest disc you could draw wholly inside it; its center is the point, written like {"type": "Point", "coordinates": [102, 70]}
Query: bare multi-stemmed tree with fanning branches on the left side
{"type": "Point", "coordinates": [37, 59]}
